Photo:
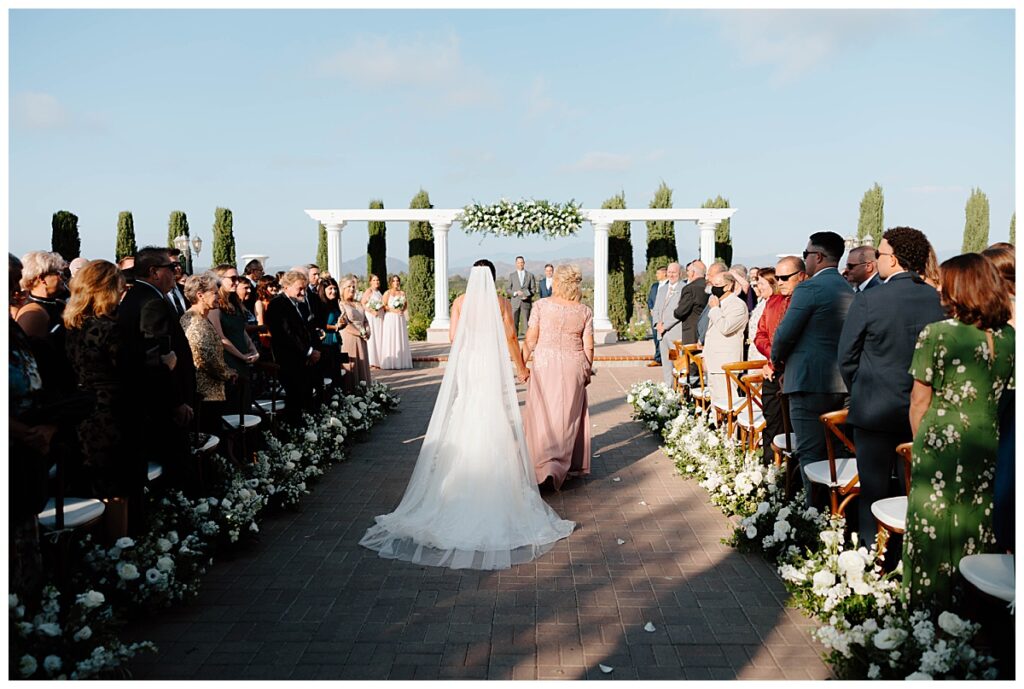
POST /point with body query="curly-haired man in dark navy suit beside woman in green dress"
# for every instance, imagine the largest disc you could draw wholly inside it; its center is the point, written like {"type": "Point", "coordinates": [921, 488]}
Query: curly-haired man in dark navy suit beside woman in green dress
{"type": "Point", "coordinates": [875, 353]}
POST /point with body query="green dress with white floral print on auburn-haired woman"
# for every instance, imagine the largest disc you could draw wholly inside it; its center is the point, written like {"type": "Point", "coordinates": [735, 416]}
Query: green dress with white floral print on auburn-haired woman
{"type": "Point", "coordinates": [950, 512]}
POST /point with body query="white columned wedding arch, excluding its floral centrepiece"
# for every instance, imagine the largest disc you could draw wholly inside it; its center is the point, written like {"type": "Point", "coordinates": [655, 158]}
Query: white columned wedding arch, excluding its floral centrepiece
{"type": "Point", "coordinates": [442, 221]}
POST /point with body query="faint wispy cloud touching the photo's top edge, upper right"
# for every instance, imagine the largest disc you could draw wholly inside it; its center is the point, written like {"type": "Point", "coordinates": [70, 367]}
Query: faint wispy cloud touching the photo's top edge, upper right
{"type": "Point", "coordinates": [795, 42]}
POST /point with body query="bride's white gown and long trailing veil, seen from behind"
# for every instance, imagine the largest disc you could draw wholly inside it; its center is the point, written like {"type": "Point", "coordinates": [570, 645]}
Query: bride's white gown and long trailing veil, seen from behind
{"type": "Point", "coordinates": [473, 501]}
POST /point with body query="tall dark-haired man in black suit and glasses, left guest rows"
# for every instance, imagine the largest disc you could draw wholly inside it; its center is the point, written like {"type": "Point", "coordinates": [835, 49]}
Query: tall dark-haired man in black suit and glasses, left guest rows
{"type": "Point", "coordinates": [159, 360]}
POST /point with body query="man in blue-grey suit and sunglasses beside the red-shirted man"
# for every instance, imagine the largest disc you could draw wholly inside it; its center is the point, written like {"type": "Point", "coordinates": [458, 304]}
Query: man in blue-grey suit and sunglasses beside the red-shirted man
{"type": "Point", "coordinates": [807, 344]}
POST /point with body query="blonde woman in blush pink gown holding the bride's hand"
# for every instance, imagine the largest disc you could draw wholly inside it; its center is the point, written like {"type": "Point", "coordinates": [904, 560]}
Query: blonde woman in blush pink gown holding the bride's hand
{"type": "Point", "coordinates": [557, 420]}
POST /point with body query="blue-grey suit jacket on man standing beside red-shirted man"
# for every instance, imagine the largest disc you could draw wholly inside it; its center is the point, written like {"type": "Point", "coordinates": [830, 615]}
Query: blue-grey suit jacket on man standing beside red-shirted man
{"type": "Point", "coordinates": [807, 340]}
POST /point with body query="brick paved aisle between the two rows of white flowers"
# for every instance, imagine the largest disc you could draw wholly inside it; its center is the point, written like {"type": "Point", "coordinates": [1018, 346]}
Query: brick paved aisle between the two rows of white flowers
{"type": "Point", "coordinates": [307, 602]}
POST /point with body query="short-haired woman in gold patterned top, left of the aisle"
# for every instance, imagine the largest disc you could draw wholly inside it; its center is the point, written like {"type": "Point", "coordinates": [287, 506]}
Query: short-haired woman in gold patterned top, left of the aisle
{"type": "Point", "coordinates": [202, 291]}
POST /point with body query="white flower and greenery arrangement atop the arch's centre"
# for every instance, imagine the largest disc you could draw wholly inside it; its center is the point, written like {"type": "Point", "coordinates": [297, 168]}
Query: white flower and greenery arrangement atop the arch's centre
{"type": "Point", "coordinates": [523, 219]}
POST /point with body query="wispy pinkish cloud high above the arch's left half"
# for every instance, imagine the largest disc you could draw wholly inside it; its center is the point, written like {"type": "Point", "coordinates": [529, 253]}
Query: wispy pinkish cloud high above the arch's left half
{"type": "Point", "coordinates": [421, 65]}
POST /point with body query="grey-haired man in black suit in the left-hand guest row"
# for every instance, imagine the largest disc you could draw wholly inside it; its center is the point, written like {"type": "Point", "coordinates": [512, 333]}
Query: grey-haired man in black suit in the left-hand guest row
{"type": "Point", "coordinates": [294, 346]}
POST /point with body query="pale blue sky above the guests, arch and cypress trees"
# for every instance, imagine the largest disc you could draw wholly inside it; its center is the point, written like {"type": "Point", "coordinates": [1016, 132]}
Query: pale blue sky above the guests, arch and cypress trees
{"type": "Point", "coordinates": [792, 115]}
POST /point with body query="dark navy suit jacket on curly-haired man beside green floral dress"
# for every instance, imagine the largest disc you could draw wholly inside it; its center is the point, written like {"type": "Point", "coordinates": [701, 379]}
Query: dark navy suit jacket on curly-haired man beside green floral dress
{"type": "Point", "coordinates": [877, 347]}
